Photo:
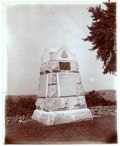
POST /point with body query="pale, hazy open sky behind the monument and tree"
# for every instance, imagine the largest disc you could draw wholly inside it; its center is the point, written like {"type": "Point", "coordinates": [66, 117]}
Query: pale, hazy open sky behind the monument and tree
{"type": "Point", "coordinates": [29, 28]}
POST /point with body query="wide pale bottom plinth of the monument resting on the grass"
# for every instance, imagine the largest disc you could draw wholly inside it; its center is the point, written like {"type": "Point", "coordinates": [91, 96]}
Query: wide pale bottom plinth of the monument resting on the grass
{"type": "Point", "coordinates": [60, 117]}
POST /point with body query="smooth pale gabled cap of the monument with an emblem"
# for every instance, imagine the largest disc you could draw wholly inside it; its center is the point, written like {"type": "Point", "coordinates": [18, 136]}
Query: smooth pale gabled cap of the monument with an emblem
{"type": "Point", "coordinates": [61, 54]}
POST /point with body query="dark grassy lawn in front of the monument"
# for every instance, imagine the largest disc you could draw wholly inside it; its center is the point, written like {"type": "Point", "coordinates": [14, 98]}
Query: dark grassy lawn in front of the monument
{"type": "Point", "coordinates": [100, 130]}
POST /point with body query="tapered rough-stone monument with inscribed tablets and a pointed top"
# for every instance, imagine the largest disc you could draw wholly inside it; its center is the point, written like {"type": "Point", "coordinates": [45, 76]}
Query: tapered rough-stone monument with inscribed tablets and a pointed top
{"type": "Point", "coordinates": [60, 95]}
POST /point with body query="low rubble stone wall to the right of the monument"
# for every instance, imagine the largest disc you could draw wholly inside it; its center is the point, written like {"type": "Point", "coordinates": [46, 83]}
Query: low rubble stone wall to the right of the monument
{"type": "Point", "coordinates": [98, 111]}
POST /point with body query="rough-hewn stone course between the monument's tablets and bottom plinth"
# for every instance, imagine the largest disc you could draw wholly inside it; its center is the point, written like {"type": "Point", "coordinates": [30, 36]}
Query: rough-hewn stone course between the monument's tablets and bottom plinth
{"type": "Point", "coordinates": [59, 104]}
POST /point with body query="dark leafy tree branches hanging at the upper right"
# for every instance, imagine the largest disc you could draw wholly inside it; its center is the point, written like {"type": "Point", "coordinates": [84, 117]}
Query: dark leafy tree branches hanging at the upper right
{"type": "Point", "coordinates": [103, 36]}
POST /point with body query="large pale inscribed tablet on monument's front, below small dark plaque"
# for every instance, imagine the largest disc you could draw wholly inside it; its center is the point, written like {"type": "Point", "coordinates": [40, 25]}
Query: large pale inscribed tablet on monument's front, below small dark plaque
{"type": "Point", "coordinates": [67, 84]}
